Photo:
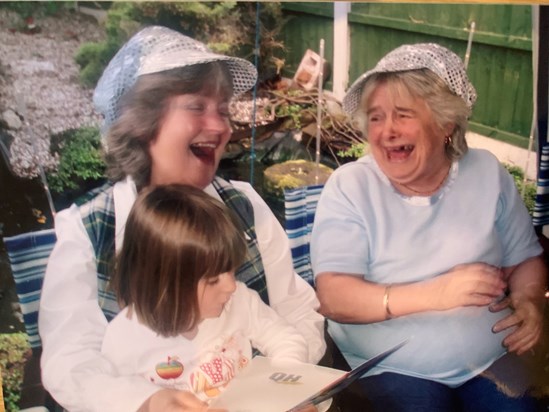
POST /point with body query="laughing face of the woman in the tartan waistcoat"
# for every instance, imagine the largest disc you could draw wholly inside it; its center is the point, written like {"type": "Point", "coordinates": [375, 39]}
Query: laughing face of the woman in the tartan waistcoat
{"type": "Point", "coordinates": [191, 140]}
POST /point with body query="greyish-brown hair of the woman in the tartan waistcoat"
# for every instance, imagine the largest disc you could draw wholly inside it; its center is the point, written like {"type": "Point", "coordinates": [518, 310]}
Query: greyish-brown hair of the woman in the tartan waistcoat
{"type": "Point", "coordinates": [143, 109]}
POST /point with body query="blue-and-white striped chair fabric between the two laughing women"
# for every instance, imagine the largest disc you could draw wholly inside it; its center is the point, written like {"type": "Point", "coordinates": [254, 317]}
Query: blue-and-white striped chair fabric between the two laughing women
{"type": "Point", "coordinates": [299, 213]}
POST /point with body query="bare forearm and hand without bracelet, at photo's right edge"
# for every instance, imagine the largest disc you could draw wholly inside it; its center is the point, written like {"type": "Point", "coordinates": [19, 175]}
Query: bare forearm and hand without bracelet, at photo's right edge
{"type": "Point", "coordinates": [527, 285]}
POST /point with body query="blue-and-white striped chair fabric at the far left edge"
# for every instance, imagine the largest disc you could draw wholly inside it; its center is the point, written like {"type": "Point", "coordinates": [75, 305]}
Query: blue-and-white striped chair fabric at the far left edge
{"type": "Point", "coordinates": [28, 254]}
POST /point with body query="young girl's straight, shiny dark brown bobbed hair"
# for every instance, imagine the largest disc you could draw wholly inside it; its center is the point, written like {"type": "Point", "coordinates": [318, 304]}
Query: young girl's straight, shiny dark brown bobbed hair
{"type": "Point", "coordinates": [175, 235]}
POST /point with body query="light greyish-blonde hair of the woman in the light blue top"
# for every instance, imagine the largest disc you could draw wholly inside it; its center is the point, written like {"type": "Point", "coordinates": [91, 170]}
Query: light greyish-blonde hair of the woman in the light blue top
{"type": "Point", "coordinates": [446, 107]}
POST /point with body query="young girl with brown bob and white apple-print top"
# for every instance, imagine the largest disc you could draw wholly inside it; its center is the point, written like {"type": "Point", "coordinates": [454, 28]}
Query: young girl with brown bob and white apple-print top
{"type": "Point", "coordinates": [186, 323]}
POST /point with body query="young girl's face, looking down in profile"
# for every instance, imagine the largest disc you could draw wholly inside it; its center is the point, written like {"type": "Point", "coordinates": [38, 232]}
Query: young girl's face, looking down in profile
{"type": "Point", "coordinates": [214, 293]}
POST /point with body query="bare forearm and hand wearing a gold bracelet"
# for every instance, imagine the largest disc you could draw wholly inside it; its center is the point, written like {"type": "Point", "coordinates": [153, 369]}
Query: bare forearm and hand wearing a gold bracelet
{"type": "Point", "coordinates": [348, 298]}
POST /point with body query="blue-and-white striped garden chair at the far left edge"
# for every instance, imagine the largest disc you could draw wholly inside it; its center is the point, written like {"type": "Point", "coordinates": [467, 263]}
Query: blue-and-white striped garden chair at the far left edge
{"type": "Point", "coordinates": [28, 254]}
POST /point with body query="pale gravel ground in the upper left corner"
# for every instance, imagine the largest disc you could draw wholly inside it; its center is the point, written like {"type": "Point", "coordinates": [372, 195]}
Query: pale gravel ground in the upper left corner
{"type": "Point", "coordinates": [39, 82]}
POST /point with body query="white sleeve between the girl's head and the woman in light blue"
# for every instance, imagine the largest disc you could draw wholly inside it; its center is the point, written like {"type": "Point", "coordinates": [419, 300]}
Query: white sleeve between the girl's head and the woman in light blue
{"type": "Point", "coordinates": [289, 295]}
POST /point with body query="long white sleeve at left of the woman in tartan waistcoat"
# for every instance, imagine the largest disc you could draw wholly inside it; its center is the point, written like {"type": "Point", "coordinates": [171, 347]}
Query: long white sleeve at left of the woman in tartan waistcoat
{"type": "Point", "coordinates": [72, 326]}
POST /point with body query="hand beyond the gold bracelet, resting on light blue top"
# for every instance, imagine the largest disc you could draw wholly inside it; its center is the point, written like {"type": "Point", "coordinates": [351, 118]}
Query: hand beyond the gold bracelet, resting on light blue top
{"type": "Point", "coordinates": [474, 284]}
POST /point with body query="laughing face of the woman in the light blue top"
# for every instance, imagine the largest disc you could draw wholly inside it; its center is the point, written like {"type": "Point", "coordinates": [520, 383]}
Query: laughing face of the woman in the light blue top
{"type": "Point", "coordinates": [404, 138]}
